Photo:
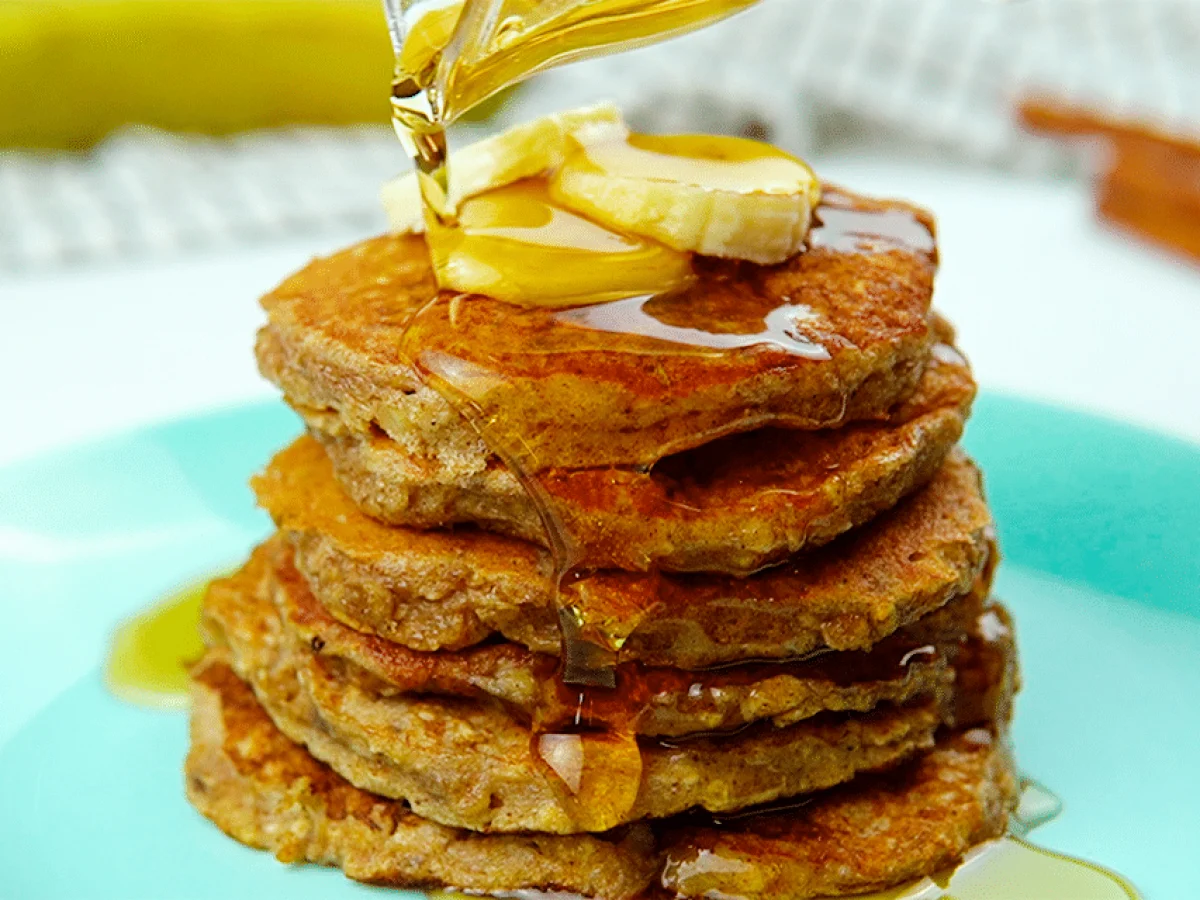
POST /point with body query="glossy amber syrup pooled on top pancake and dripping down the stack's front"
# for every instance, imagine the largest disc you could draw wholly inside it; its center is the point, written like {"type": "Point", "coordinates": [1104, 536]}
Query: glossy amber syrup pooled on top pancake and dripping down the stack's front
{"type": "Point", "coordinates": [593, 751]}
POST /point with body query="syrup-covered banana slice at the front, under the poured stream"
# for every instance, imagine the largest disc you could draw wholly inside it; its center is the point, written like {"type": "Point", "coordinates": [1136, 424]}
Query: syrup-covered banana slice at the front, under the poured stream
{"type": "Point", "coordinates": [515, 245]}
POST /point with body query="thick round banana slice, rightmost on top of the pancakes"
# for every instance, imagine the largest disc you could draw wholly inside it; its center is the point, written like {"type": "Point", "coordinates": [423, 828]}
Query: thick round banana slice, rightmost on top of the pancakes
{"type": "Point", "coordinates": [716, 196]}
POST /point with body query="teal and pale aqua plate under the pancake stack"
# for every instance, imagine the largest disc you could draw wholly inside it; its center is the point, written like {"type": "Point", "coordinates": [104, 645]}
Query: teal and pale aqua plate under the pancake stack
{"type": "Point", "coordinates": [1100, 523]}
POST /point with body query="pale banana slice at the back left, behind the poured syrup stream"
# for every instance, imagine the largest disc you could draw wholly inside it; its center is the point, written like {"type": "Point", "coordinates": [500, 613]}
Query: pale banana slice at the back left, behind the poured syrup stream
{"type": "Point", "coordinates": [526, 151]}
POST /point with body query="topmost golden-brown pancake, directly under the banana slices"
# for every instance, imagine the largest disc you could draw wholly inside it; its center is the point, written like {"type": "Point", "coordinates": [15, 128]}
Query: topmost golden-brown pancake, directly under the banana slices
{"type": "Point", "coordinates": [837, 334]}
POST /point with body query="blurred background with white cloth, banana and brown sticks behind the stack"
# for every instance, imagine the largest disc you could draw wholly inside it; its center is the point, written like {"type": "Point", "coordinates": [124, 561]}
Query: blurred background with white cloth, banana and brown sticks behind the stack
{"type": "Point", "coordinates": [164, 163]}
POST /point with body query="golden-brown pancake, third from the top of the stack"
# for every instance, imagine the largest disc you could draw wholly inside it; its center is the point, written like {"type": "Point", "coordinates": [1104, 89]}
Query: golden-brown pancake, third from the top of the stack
{"type": "Point", "coordinates": [454, 589]}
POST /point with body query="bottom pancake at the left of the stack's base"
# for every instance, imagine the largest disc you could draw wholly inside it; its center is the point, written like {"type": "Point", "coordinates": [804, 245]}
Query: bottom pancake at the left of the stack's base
{"type": "Point", "coordinates": [267, 791]}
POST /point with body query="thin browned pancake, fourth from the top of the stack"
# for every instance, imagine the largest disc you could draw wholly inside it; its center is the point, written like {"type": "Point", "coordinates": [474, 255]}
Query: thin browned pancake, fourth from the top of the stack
{"type": "Point", "coordinates": [649, 701]}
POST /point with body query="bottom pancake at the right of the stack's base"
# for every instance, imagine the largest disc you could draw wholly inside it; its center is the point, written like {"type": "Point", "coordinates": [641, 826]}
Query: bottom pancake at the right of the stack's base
{"type": "Point", "coordinates": [872, 835]}
